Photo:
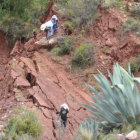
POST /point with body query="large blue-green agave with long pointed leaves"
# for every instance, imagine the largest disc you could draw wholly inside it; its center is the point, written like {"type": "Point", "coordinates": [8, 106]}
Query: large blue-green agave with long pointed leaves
{"type": "Point", "coordinates": [119, 99]}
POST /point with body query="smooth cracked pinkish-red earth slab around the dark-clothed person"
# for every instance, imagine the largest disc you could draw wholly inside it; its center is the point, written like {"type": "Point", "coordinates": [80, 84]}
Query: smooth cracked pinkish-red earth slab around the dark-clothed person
{"type": "Point", "coordinates": [48, 87]}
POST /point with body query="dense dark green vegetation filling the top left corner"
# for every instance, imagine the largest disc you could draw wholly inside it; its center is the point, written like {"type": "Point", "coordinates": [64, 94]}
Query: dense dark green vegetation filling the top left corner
{"type": "Point", "coordinates": [18, 18]}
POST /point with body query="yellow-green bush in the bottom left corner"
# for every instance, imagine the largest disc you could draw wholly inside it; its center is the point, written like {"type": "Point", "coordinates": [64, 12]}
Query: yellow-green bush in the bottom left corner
{"type": "Point", "coordinates": [26, 123]}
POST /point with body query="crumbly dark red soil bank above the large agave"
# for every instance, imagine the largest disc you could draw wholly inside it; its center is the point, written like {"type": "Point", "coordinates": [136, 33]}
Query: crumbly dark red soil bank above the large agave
{"type": "Point", "coordinates": [113, 44]}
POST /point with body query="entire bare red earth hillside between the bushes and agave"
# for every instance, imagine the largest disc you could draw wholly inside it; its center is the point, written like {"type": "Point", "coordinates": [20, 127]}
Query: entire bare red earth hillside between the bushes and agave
{"type": "Point", "coordinates": [33, 76]}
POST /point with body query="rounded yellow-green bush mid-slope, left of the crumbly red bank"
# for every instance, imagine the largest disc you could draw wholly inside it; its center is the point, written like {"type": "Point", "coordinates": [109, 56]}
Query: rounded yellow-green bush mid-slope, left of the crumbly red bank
{"type": "Point", "coordinates": [84, 55]}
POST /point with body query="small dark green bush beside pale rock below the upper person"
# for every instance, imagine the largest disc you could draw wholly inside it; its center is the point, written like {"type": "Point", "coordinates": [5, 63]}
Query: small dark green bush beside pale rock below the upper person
{"type": "Point", "coordinates": [64, 46]}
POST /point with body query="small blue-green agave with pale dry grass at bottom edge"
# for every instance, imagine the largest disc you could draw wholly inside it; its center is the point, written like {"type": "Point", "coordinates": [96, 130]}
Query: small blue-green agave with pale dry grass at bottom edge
{"type": "Point", "coordinates": [88, 130]}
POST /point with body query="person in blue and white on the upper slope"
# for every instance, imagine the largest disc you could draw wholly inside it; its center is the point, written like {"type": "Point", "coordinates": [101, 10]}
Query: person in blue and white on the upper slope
{"type": "Point", "coordinates": [50, 26]}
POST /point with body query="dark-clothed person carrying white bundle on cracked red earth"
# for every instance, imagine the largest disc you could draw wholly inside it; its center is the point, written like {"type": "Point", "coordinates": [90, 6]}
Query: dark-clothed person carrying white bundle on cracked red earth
{"type": "Point", "coordinates": [64, 110]}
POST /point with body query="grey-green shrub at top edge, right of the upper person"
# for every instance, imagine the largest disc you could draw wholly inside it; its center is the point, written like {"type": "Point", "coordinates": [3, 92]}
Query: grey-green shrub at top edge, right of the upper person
{"type": "Point", "coordinates": [80, 12]}
